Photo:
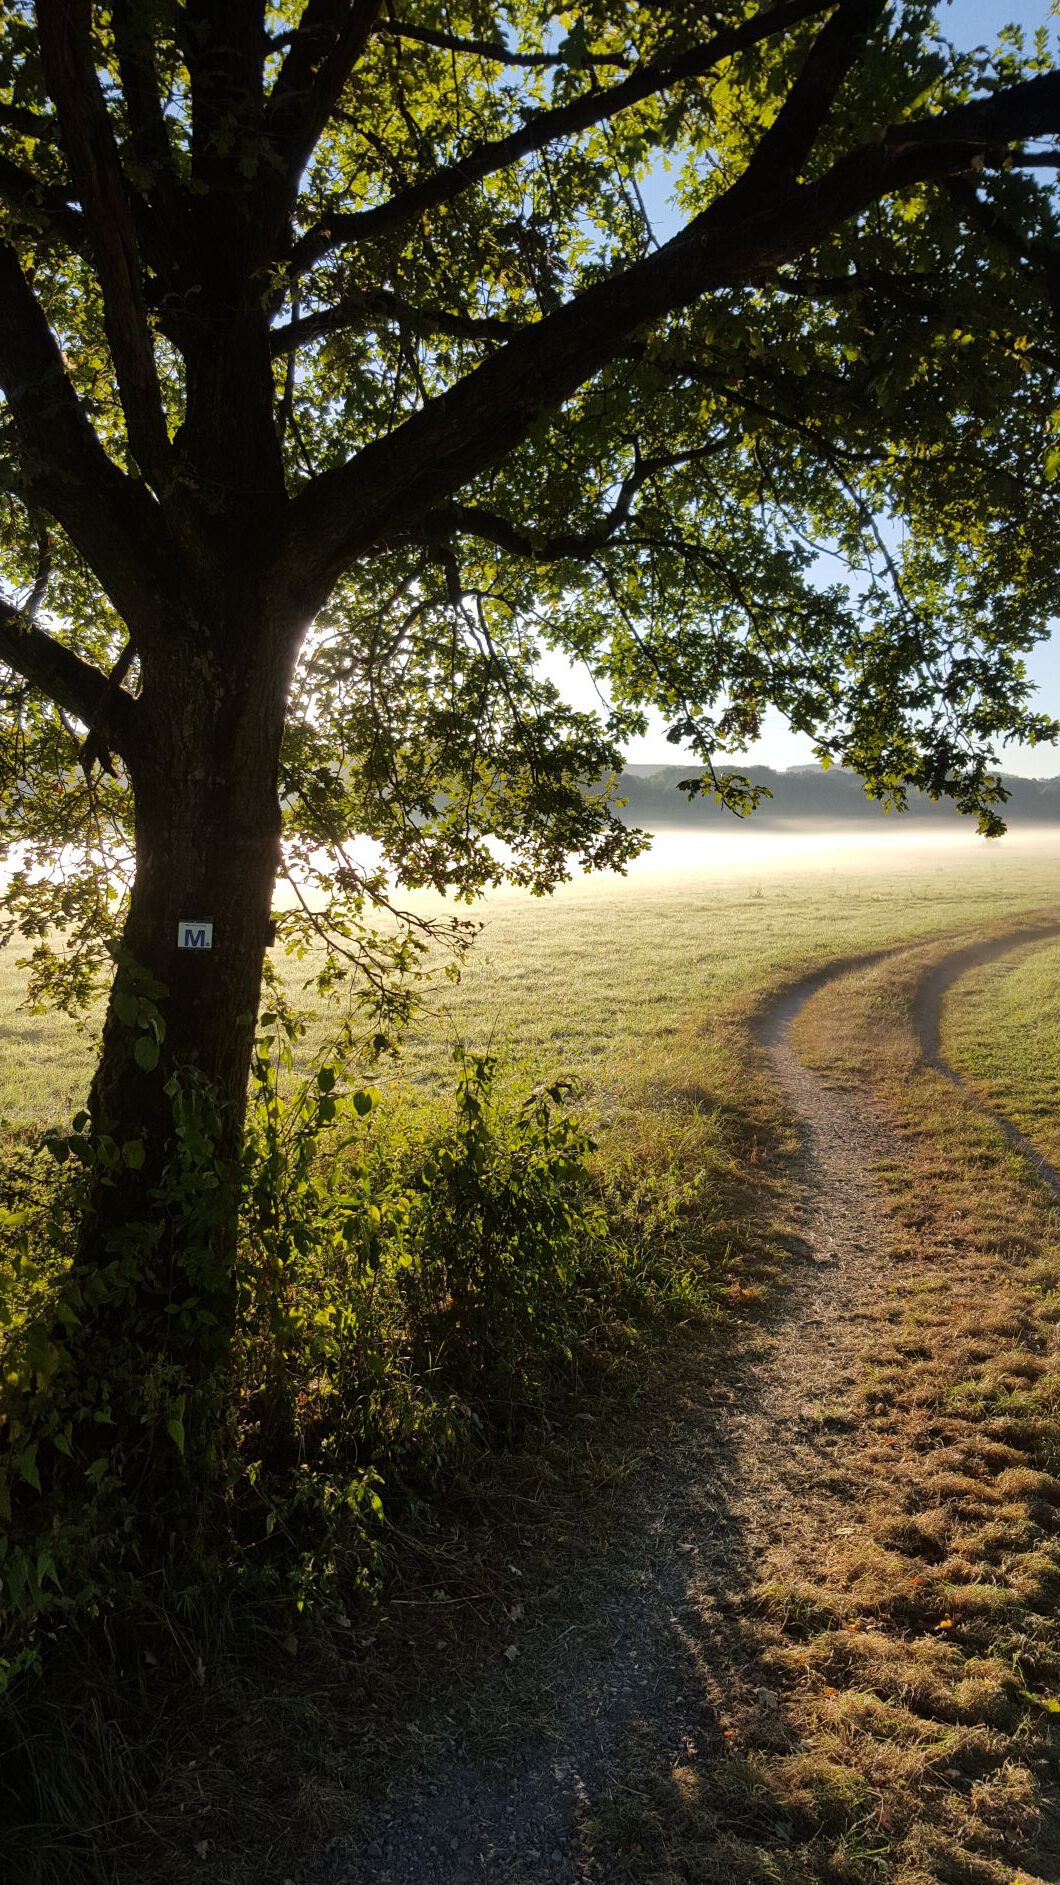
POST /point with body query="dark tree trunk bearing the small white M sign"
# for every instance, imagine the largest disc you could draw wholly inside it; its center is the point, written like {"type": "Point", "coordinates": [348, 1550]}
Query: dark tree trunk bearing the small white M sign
{"type": "Point", "coordinates": [171, 1090]}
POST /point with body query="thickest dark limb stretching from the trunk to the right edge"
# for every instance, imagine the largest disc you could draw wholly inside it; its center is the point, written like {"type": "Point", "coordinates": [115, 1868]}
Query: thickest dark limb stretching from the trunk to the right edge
{"type": "Point", "coordinates": [395, 482]}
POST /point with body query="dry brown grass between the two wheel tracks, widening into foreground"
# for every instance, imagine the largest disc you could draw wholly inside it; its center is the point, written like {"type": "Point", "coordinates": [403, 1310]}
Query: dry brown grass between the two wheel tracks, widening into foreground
{"type": "Point", "coordinates": [910, 1671]}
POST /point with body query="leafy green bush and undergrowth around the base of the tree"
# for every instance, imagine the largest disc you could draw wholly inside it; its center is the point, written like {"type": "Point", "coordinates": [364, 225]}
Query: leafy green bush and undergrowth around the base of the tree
{"type": "Point", "coordinates": [406, 1292]}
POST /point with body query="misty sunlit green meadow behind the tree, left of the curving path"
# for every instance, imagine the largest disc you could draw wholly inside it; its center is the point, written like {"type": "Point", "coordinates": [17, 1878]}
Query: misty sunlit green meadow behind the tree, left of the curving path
{"type": "Point", "coordinates": [606, 977]}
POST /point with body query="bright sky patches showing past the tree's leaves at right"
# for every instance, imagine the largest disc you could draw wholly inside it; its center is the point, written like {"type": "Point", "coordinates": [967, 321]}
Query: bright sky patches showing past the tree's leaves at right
{"type": "Point", "coordinates": [969, 24]}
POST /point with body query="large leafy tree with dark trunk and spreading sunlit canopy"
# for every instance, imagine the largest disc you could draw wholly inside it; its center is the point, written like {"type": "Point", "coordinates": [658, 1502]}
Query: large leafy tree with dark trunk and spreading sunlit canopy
{"type": "Point", "coordinates": [342, 367]}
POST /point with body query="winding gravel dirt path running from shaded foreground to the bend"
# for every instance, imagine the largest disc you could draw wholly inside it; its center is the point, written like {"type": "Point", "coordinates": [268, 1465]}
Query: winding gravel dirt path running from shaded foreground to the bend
{"type": "Point", "coordinates": [520, 1775]}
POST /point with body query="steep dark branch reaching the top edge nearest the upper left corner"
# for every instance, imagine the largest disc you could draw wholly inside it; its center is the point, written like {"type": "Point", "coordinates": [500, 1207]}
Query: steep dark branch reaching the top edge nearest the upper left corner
{"type": "Point", "coordinates": [95, 167]}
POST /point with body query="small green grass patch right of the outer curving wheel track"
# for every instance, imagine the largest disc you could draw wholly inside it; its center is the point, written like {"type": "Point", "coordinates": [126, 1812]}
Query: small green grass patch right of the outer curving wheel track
{"type": "Point", "coordinates": [1002, 1032]}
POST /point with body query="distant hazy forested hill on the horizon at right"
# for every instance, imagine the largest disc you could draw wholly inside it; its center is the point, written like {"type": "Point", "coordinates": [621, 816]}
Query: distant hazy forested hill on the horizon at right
{"type": "Point", "coordinates": [808, 793]}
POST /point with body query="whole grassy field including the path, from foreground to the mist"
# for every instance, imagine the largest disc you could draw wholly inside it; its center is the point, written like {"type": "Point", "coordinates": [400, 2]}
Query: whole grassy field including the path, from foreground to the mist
{"type": "Point", "coordinates": [759, 1466]}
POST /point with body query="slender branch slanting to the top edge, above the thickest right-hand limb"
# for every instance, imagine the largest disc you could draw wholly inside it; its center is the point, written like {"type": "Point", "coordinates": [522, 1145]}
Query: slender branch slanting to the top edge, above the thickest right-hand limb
{"type": "Point", "coordinates": [546, 127]}
